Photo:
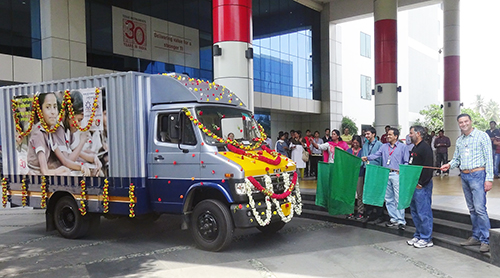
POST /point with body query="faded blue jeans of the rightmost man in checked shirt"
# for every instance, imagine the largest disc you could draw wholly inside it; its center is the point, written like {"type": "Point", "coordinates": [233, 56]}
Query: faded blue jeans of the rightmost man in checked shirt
{"type": "Point", "coordinates": [475, 196]}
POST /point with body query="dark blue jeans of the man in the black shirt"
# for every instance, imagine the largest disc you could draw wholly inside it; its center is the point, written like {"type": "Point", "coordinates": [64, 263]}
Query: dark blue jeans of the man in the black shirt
{"type": "Point", "coordinates": [421, 212]}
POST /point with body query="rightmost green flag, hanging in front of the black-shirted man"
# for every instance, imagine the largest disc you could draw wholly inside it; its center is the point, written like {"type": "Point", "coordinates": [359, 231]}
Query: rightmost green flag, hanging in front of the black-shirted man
{"type": "Point", "coordinates": [408, 180]}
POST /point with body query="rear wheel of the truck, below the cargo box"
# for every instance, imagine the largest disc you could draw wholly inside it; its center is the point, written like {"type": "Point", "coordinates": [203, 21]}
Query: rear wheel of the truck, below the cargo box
{"type": "Point", "coordinates": [68, 220]}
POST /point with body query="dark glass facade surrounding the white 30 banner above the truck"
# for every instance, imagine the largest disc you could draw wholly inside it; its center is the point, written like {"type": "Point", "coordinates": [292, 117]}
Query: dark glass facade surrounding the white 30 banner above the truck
{"type": "Point", "coordinates": [196, 14]}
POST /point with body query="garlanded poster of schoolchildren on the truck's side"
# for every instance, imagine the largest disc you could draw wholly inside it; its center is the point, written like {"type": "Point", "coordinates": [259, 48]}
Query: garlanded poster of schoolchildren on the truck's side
{"type": "Point", "coordinates": [61, 133]}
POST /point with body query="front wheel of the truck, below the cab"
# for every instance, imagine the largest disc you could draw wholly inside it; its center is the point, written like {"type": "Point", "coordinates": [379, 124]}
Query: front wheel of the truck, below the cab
{"type": "Point", "coordinates": [211, 225]}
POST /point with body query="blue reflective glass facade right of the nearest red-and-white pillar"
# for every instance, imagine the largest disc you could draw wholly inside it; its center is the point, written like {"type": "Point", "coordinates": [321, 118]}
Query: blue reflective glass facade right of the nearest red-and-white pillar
{"type": "Point", "coordinates": [286, 34]}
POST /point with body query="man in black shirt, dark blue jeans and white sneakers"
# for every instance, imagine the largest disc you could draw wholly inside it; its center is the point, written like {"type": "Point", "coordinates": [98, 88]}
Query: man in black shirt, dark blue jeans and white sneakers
{"type": "Point", "coordinates": [420, 206]}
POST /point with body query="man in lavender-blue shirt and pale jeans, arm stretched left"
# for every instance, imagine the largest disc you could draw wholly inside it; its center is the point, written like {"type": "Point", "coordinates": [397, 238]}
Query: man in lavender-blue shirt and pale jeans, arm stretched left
{"type": "Point", "coordinates": [393, 154]}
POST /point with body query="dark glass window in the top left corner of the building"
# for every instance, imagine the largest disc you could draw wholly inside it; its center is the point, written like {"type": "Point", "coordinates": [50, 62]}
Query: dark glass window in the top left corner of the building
{"type": "Point", "coordinates": [20, 33]}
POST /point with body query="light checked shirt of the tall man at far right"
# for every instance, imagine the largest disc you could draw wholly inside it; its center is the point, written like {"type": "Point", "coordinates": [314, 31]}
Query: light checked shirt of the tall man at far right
{"type": "Point", "coordinates": [473, 151]}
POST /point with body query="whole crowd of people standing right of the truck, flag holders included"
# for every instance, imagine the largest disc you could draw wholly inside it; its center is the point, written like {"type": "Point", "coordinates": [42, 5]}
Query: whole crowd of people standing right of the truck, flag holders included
{"type": "Point", "coordinates": [474, 155]}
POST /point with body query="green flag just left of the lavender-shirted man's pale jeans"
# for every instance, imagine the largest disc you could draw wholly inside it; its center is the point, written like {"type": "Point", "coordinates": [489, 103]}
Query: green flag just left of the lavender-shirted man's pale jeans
{"type": "Point", "coordinates": [376, 179]}
